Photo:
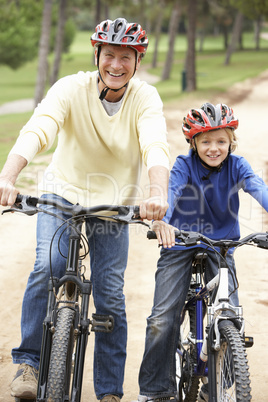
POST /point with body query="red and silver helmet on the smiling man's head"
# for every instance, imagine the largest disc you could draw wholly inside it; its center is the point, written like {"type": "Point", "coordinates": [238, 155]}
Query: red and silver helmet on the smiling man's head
{"type": "Point", "coordinates": [120, 32]}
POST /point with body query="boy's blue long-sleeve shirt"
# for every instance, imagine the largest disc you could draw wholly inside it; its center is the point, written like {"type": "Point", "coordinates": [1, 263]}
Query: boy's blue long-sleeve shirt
{"type": "Point", "coordinates": [210, 204]}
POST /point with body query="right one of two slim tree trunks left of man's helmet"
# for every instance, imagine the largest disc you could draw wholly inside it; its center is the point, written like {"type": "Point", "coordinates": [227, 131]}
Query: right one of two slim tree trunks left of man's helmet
{"type": "Point", "coordinates": [59, 41]}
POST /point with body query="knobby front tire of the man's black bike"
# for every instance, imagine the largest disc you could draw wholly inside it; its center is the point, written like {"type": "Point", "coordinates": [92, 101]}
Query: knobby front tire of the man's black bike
{"type": "Point", "coordinates": [60, 366]}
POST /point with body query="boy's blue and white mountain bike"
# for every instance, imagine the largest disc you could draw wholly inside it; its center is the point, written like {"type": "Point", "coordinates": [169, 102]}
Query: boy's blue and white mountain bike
{"type": "Point", "coordinates": [212, 344]}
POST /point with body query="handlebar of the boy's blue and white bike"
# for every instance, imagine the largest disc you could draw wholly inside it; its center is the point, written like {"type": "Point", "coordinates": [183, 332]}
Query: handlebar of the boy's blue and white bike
{"type": "Point", "coordinates": [194, 238]}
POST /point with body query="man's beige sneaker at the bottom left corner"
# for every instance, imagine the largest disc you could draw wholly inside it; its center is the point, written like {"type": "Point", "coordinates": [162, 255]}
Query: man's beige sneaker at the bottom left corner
{"type": "Point", "coordinates": [24, 384]}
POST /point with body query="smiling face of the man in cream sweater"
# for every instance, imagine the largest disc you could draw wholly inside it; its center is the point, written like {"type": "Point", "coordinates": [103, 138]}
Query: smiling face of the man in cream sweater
{"type": "Point", "coordinates": [117, 65]}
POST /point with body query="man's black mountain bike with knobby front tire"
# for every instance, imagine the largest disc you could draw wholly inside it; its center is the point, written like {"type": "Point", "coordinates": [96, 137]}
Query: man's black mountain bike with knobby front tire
{"type": "Point", "coordinates": [67, 324]}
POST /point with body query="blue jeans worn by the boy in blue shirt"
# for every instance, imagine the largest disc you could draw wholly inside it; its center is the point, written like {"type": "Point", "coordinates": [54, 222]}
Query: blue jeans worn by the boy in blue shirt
{"type": "Point", "coordinates": [157, 377]}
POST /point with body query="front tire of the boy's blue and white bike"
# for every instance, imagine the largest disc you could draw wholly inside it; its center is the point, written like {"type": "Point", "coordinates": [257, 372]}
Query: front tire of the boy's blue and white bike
{"type": "Point", "coordinates": [231, 365]}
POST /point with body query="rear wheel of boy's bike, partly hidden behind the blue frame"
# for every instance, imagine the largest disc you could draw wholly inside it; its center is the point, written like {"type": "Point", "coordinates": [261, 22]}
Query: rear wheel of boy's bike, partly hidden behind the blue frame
{"type": "Point", "coordinates": [187, 382]}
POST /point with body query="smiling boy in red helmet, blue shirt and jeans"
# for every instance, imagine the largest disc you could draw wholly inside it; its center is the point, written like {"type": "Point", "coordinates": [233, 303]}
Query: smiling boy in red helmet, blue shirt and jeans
{"type": "Point", "coordinates": [203, 197]}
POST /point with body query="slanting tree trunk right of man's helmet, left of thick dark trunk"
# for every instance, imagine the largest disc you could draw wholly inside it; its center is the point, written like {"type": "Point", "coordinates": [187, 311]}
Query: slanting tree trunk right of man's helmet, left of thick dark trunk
{"type": "Point", "coordinates": [173, 28]}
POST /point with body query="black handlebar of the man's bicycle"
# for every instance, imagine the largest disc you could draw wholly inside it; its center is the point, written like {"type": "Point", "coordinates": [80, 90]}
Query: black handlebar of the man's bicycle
{"type": "Point", "coordinates": [28, 205]}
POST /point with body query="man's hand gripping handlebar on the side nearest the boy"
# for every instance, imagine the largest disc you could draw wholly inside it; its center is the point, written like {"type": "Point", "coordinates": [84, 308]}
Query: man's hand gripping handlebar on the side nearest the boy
{"type": "Point", "coordinates": [153, 208]}
